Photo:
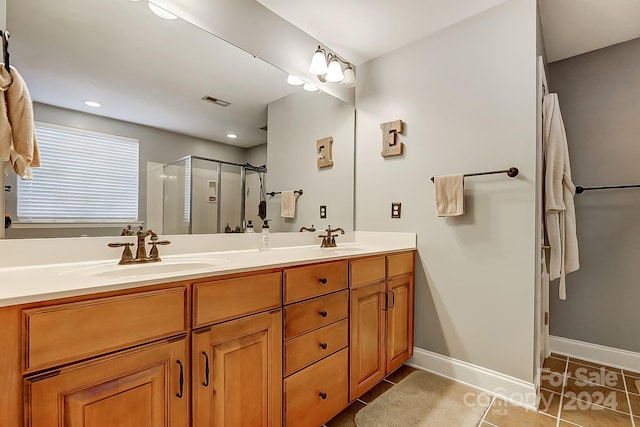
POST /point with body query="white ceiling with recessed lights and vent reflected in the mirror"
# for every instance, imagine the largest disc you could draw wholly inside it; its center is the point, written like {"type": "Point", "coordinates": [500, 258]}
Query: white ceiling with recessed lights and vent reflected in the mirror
{"type": "Point", "coordinates": [143, 69]}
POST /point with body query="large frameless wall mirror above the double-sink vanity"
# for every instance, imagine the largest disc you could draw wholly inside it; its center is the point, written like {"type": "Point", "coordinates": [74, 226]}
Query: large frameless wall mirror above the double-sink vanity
{"type": "Point", "coordinates": [150, 76]}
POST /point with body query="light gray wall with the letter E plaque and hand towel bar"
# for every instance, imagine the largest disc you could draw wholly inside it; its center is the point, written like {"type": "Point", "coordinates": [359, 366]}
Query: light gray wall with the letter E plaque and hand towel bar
{"type": "Point", "coordinates": [468, 97]}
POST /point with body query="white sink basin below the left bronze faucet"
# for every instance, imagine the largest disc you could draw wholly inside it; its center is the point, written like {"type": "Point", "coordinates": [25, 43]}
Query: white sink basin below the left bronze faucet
{"type": "Point", "coordinates": [166, 266]}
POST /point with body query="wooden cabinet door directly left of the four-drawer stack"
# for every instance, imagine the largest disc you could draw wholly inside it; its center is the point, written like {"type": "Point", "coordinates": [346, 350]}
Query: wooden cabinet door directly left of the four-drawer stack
{"type": "Point", "coordinates": [237, 372]}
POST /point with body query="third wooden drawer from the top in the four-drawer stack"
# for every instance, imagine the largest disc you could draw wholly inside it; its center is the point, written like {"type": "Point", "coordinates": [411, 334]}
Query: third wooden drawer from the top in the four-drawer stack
{"type": "Point", "coordinates": [315, 345]}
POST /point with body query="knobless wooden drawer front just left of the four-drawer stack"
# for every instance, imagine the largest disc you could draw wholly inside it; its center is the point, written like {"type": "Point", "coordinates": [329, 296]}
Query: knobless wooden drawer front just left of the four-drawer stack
{"type": "Point", "coordinates": [227, 299]}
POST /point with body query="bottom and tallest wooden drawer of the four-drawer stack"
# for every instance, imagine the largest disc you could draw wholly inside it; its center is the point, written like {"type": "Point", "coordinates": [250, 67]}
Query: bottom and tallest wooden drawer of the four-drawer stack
{"type": "Point", "coordinates": [317, 393]}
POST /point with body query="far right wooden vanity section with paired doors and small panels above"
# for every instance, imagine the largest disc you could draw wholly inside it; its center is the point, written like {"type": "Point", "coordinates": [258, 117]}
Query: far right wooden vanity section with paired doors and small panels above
{"type": "Point", "coordinates": [381, 318]}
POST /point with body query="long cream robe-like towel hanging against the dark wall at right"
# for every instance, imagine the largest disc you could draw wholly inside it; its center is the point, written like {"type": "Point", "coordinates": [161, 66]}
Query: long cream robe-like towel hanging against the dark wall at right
{"type": "Point", "coordinates": [560, 216]}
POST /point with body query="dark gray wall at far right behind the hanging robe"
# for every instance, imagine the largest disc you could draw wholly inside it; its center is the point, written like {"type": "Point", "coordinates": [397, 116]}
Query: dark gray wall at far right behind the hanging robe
{"type": "Point", "coordinates": [599, 95]}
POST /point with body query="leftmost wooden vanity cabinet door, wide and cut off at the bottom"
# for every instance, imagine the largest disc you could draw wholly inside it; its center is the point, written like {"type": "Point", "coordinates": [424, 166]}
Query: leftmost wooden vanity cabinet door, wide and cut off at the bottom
{"type": "Point", "coordinates": [141, 387]}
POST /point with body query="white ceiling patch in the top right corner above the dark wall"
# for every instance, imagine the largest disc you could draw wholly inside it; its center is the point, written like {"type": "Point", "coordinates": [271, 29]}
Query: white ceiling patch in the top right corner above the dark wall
{"type": "Point", "coordinates": [573, 27]}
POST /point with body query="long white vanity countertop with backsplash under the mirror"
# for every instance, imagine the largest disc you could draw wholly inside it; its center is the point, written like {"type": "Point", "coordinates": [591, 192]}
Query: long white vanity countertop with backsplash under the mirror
{"type": "Point", "coordinates": [63, 275]}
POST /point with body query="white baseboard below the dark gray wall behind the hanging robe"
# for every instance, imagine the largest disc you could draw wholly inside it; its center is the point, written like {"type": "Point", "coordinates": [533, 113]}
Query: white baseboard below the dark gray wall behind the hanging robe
{"type": "Point", "coordinates": [611, 356]}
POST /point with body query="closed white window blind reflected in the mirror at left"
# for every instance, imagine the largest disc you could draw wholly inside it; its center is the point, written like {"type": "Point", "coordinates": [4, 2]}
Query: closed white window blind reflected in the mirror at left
{"type": "Point", "coordinates": [85, 177]}
